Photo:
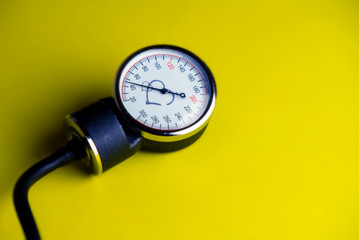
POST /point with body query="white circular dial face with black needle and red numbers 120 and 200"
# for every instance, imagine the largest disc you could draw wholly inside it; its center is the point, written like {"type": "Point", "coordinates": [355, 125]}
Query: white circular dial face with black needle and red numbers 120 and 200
{"type": "Point", "coordinates": [164, 89]}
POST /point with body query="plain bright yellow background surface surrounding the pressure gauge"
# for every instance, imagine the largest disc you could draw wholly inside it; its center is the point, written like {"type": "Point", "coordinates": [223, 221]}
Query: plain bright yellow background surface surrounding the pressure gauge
{"type": "Point", "coordinates": [279, 160]}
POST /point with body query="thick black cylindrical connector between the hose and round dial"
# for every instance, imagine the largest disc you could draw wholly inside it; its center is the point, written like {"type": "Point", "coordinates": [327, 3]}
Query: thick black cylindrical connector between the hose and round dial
{"type": "Point", "coordinates": [114, 141]}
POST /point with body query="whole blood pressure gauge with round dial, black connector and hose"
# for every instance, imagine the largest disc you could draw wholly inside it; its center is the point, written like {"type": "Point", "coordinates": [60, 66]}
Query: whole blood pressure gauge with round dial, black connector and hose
{"type": "Point", "coordinates": [164, 96]}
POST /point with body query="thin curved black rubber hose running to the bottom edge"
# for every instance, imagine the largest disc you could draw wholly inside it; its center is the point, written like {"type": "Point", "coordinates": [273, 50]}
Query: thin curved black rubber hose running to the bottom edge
{"type": "Point", "coordinates": [72, 151]}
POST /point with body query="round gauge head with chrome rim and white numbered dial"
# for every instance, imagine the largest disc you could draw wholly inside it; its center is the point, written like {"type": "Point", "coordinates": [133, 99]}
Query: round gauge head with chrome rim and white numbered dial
{"type": "Point", "coordinates": [167, 93]}
